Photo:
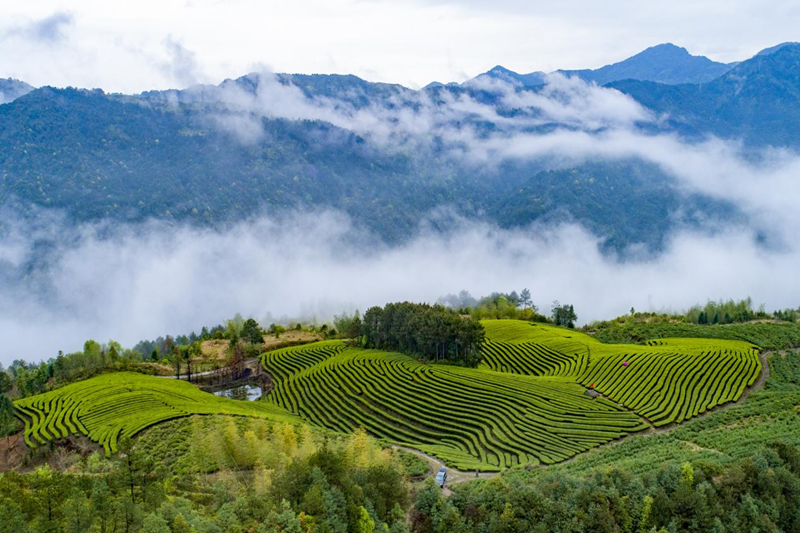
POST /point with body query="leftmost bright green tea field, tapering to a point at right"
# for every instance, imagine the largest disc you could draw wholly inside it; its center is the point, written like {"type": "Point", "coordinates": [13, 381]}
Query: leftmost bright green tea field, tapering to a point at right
{"type": "Point", "coordinates": [109, 407]}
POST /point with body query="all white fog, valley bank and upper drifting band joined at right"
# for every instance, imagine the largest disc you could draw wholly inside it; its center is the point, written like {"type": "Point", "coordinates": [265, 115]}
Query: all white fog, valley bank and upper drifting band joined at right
{"type": "Point", "coordinates": [61, 284]}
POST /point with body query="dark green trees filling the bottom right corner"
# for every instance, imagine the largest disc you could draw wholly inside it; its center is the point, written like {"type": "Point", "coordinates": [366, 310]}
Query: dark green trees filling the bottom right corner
{"type": "Point", "coordinates": [757, 493]}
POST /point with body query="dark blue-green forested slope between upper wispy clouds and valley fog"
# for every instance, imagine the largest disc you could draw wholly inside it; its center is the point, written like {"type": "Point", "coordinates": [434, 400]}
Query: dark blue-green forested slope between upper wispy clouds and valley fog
{"type": "Point", "coordinates": [96, 155]}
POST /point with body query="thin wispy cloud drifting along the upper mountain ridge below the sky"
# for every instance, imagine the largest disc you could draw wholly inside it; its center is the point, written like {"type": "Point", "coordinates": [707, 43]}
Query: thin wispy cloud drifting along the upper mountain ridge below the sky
{"type": "Point", "coordinates": [467, 124]}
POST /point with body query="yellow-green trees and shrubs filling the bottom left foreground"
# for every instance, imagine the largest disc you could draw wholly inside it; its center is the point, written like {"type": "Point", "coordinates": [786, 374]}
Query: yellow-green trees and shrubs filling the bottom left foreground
{"type": "Point", "coordinates": [296, 481]}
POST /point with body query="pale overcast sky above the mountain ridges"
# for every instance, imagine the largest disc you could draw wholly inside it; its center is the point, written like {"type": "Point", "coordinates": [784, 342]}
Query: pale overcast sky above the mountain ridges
{"type": "Point", "coordinates": [135, 46]}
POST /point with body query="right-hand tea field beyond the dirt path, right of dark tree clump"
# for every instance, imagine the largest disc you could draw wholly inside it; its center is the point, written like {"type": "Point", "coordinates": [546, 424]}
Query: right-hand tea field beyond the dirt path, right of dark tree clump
{"type": "Point", "coordinates": [669, 380]}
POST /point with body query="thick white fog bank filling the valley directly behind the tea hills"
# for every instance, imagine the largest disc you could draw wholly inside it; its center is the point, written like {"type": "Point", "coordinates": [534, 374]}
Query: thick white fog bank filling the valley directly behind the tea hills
{"type": "Point", "coordinates": [134, 282]}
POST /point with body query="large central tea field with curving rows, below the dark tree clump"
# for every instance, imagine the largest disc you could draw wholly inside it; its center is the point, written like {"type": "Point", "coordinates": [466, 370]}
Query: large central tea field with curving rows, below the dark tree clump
{"type": "Point", "coordinates": [470, 418]}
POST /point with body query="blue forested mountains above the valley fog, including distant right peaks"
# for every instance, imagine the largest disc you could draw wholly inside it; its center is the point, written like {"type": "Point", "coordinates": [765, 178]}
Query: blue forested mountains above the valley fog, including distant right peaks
{"type": "Point", "coordinates": [216, 154]}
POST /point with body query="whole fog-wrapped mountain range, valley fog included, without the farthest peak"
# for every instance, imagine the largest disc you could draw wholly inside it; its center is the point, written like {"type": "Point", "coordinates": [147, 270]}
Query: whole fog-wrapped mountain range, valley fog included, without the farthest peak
{"type": "Point", "coordinates": [306, 194]}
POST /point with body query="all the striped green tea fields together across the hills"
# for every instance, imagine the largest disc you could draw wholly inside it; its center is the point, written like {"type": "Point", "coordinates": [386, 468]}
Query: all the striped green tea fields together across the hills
{"type": "Point", "coordinates": [526, 404]}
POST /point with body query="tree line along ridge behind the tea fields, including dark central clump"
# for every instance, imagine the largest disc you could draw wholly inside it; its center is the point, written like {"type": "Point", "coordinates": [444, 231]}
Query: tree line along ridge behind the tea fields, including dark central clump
{"type": "Point", "coordinates": [442, 332]}
